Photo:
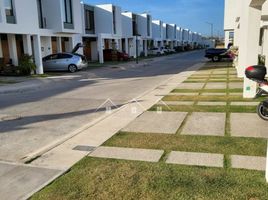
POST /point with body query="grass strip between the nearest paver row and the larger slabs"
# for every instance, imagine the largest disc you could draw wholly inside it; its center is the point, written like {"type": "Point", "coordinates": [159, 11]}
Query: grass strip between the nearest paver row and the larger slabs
{"type": "Point", "coordinates": [205, 144]}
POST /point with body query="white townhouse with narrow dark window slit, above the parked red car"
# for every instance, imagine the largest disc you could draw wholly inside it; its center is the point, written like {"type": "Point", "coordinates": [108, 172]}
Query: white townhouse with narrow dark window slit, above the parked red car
{"type": "Point", "coordinates": [108, 20]}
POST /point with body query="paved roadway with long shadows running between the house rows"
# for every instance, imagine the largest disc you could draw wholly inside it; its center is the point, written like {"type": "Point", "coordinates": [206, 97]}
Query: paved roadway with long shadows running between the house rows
{"type": "Point", "coordinates": [32, 119]}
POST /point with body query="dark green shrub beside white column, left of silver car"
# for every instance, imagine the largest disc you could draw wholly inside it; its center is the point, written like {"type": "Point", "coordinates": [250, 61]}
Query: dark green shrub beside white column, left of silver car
{"type": "Point", "coordinates": [26, 65]}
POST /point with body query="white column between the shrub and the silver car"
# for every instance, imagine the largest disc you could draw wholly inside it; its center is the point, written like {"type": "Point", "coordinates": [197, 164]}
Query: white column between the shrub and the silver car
{"type": "Point", "coordinates": [38, 54]}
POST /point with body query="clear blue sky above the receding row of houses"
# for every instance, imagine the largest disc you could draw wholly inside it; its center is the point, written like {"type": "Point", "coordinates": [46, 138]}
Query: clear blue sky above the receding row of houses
{"type": "Point", "coordinates": [192, 14]}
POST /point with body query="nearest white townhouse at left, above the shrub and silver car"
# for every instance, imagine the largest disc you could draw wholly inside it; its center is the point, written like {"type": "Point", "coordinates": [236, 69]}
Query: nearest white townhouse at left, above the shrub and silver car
{"type": "Point", "coordinates": [38, 28]}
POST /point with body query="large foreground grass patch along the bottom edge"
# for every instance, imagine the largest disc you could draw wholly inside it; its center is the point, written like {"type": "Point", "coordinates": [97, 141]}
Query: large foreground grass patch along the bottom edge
{"type": "Point", "coordinates": [107, 179]}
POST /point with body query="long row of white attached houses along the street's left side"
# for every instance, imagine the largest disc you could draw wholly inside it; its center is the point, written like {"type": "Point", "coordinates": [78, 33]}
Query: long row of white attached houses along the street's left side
{"type": "Point", "coordinates": [43, 27]}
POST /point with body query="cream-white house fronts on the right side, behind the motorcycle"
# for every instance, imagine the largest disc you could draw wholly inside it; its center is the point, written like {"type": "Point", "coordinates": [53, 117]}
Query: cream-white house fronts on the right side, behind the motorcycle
{"type": "Point", "coordinates": [246, 27]}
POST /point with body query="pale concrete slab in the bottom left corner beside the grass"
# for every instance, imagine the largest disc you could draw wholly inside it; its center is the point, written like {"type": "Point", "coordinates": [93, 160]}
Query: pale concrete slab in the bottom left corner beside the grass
{"type": "Point", "coordinates": [21, 181]}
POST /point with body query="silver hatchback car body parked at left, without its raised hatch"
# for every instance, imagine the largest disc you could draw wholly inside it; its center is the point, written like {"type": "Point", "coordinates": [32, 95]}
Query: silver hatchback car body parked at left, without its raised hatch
{"type": "Point", "coordinates": [64, 61]}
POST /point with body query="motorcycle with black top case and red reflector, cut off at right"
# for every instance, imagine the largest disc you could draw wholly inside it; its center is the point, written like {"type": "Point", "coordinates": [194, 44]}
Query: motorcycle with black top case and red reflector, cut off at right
{"type": "Point", "coordinates": [257, 73]}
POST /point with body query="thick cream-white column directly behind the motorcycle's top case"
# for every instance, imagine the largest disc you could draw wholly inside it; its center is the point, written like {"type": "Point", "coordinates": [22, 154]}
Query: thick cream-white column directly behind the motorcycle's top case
{"type": "Point", "coordinates": [249, 46]}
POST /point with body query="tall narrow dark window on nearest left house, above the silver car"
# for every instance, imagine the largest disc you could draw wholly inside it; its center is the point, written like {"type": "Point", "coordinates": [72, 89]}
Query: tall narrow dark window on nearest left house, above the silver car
{"type": "Point", "coordinates": [67, 12]}
